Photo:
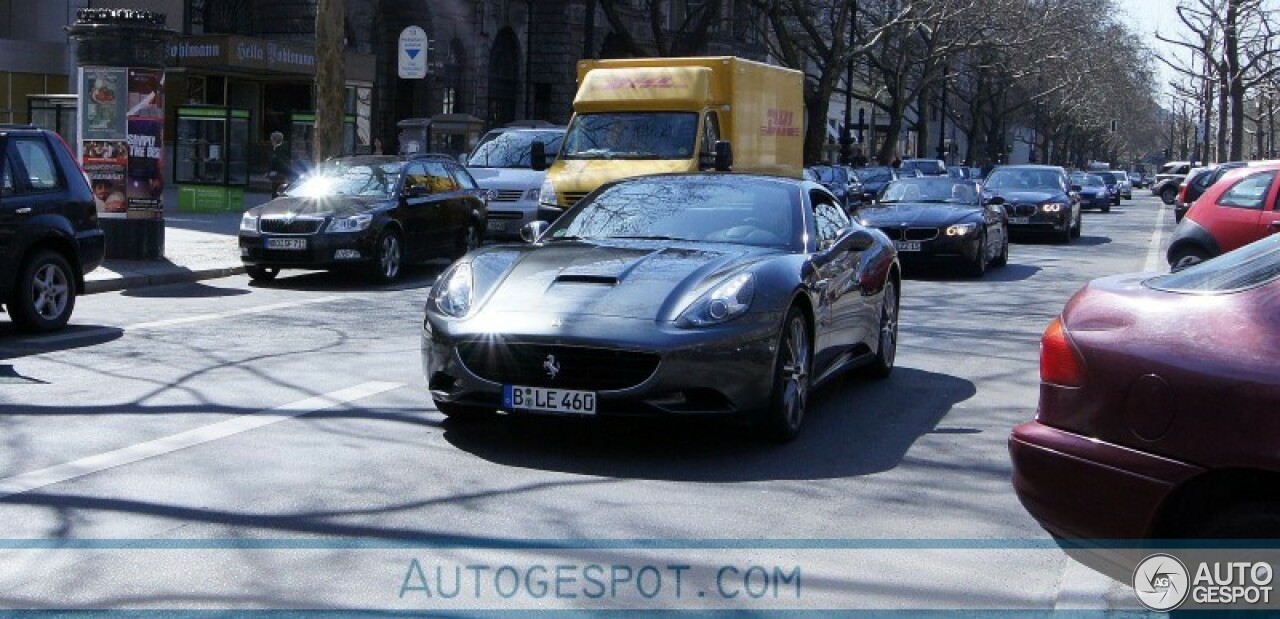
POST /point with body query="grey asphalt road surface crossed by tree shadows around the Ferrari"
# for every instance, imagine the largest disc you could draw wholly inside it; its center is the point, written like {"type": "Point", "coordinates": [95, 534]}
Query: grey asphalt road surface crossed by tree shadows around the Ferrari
{"type": "Point", "coordinates": [230, 444]}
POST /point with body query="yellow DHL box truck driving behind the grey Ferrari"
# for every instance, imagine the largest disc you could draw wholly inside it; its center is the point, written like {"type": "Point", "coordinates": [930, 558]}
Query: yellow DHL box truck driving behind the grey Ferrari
{"type": "Point", "coordinates": [655, 116]}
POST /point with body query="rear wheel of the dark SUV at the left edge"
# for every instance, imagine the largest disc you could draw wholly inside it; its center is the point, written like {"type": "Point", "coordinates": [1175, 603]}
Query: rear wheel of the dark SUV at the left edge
{"type": "Point", "coordinates": [45, 296]}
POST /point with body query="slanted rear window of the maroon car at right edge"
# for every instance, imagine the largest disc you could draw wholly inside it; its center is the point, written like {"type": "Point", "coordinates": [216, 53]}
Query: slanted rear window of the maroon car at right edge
{"type": "Point", "coordinates": [1247, 268]}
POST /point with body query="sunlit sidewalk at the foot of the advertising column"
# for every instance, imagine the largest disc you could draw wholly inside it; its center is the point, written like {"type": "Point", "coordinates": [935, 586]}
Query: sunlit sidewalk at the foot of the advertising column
{"type": "Point", "coordinates": [196, 247]}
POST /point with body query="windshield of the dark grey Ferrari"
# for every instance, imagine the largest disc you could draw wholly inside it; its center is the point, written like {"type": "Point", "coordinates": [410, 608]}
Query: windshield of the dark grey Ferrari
{"type": "Point", "coordinates": [717, 210]}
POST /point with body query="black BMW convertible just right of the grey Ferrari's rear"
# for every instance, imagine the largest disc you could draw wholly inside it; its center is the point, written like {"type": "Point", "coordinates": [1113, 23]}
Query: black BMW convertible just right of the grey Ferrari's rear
{"type": "Point", "coordinates": [941, 221]}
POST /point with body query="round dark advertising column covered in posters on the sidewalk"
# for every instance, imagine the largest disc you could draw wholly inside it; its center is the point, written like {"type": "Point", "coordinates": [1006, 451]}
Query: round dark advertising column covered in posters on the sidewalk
{"type": "Point", "coordinates": [122, 56]}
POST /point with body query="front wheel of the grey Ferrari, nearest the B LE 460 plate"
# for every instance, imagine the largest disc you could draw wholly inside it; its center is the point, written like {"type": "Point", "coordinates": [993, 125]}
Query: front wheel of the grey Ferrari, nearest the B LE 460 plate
{"type": "Point", "coordinates": [790, 380]}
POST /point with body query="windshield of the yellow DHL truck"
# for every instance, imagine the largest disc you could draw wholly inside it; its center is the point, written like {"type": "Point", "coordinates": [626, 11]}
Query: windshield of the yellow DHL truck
{"type": "Point", "coordinates": [650, 135]}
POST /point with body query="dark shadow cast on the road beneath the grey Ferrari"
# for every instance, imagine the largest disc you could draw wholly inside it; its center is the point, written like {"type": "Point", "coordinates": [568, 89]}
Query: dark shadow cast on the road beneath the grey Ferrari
{"type": "Point", "coordinates": [854, 428]}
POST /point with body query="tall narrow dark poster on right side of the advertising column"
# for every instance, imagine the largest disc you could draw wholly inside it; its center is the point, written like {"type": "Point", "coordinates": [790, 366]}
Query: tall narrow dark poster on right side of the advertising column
{"type": "Point", "coordinates": [145, 178]}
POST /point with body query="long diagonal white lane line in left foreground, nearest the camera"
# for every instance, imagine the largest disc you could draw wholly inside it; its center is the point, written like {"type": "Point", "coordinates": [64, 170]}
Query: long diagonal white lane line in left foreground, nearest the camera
{"type": "Point", "coordinates": [26, 483]}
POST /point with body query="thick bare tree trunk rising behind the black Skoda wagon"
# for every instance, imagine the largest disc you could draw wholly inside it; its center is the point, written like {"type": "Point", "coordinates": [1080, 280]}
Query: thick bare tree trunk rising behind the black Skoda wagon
{"type": "Point", "coordinates": [331, 80]}
